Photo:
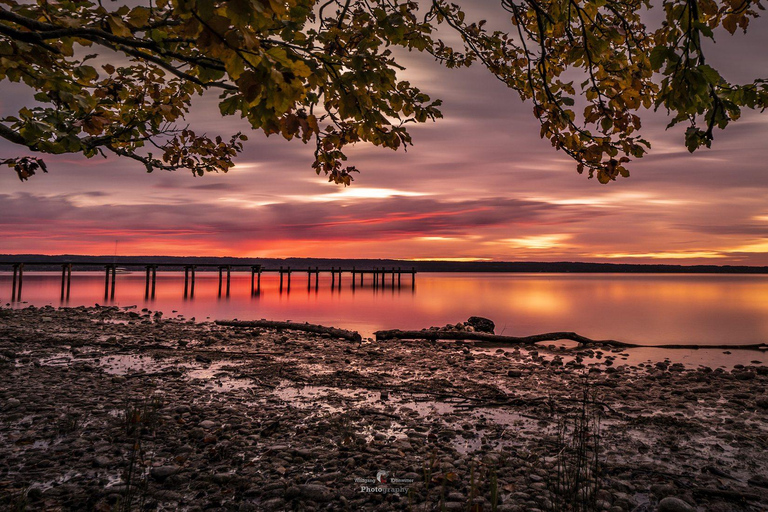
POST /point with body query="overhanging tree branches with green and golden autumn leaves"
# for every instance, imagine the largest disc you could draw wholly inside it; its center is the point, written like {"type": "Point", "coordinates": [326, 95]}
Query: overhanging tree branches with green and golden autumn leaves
{"type": "Point", "coordinates": [327, 72]}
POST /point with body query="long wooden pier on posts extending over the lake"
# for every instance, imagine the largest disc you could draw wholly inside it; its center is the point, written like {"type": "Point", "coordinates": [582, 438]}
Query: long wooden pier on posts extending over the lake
{"type": "Point", "coordinates": [374, 278]}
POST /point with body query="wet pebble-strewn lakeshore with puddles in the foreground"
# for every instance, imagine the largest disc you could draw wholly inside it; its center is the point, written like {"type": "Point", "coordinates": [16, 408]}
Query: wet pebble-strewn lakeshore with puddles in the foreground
{"type": "Point", "coordinates": [123, 409]}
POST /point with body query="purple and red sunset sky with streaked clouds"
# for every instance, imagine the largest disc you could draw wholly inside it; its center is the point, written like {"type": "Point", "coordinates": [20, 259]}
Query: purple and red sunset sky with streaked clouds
{"type": "Point", "coordinates": [477, 185]}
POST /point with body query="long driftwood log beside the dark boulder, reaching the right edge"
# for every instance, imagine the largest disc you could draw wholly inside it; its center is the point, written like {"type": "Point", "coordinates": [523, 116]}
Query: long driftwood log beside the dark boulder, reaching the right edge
{"type": "Point", "coordinates": [488, 339]}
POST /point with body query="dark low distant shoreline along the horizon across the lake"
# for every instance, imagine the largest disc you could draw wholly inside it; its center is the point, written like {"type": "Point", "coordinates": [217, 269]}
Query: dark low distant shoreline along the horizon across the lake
{"type": "Point", "coordinates": [53, 263]}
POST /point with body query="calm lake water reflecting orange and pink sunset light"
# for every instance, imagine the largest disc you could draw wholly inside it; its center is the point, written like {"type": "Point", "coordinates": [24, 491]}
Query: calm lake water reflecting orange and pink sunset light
{"type": "Point", "coordinates": [638, 308]}
